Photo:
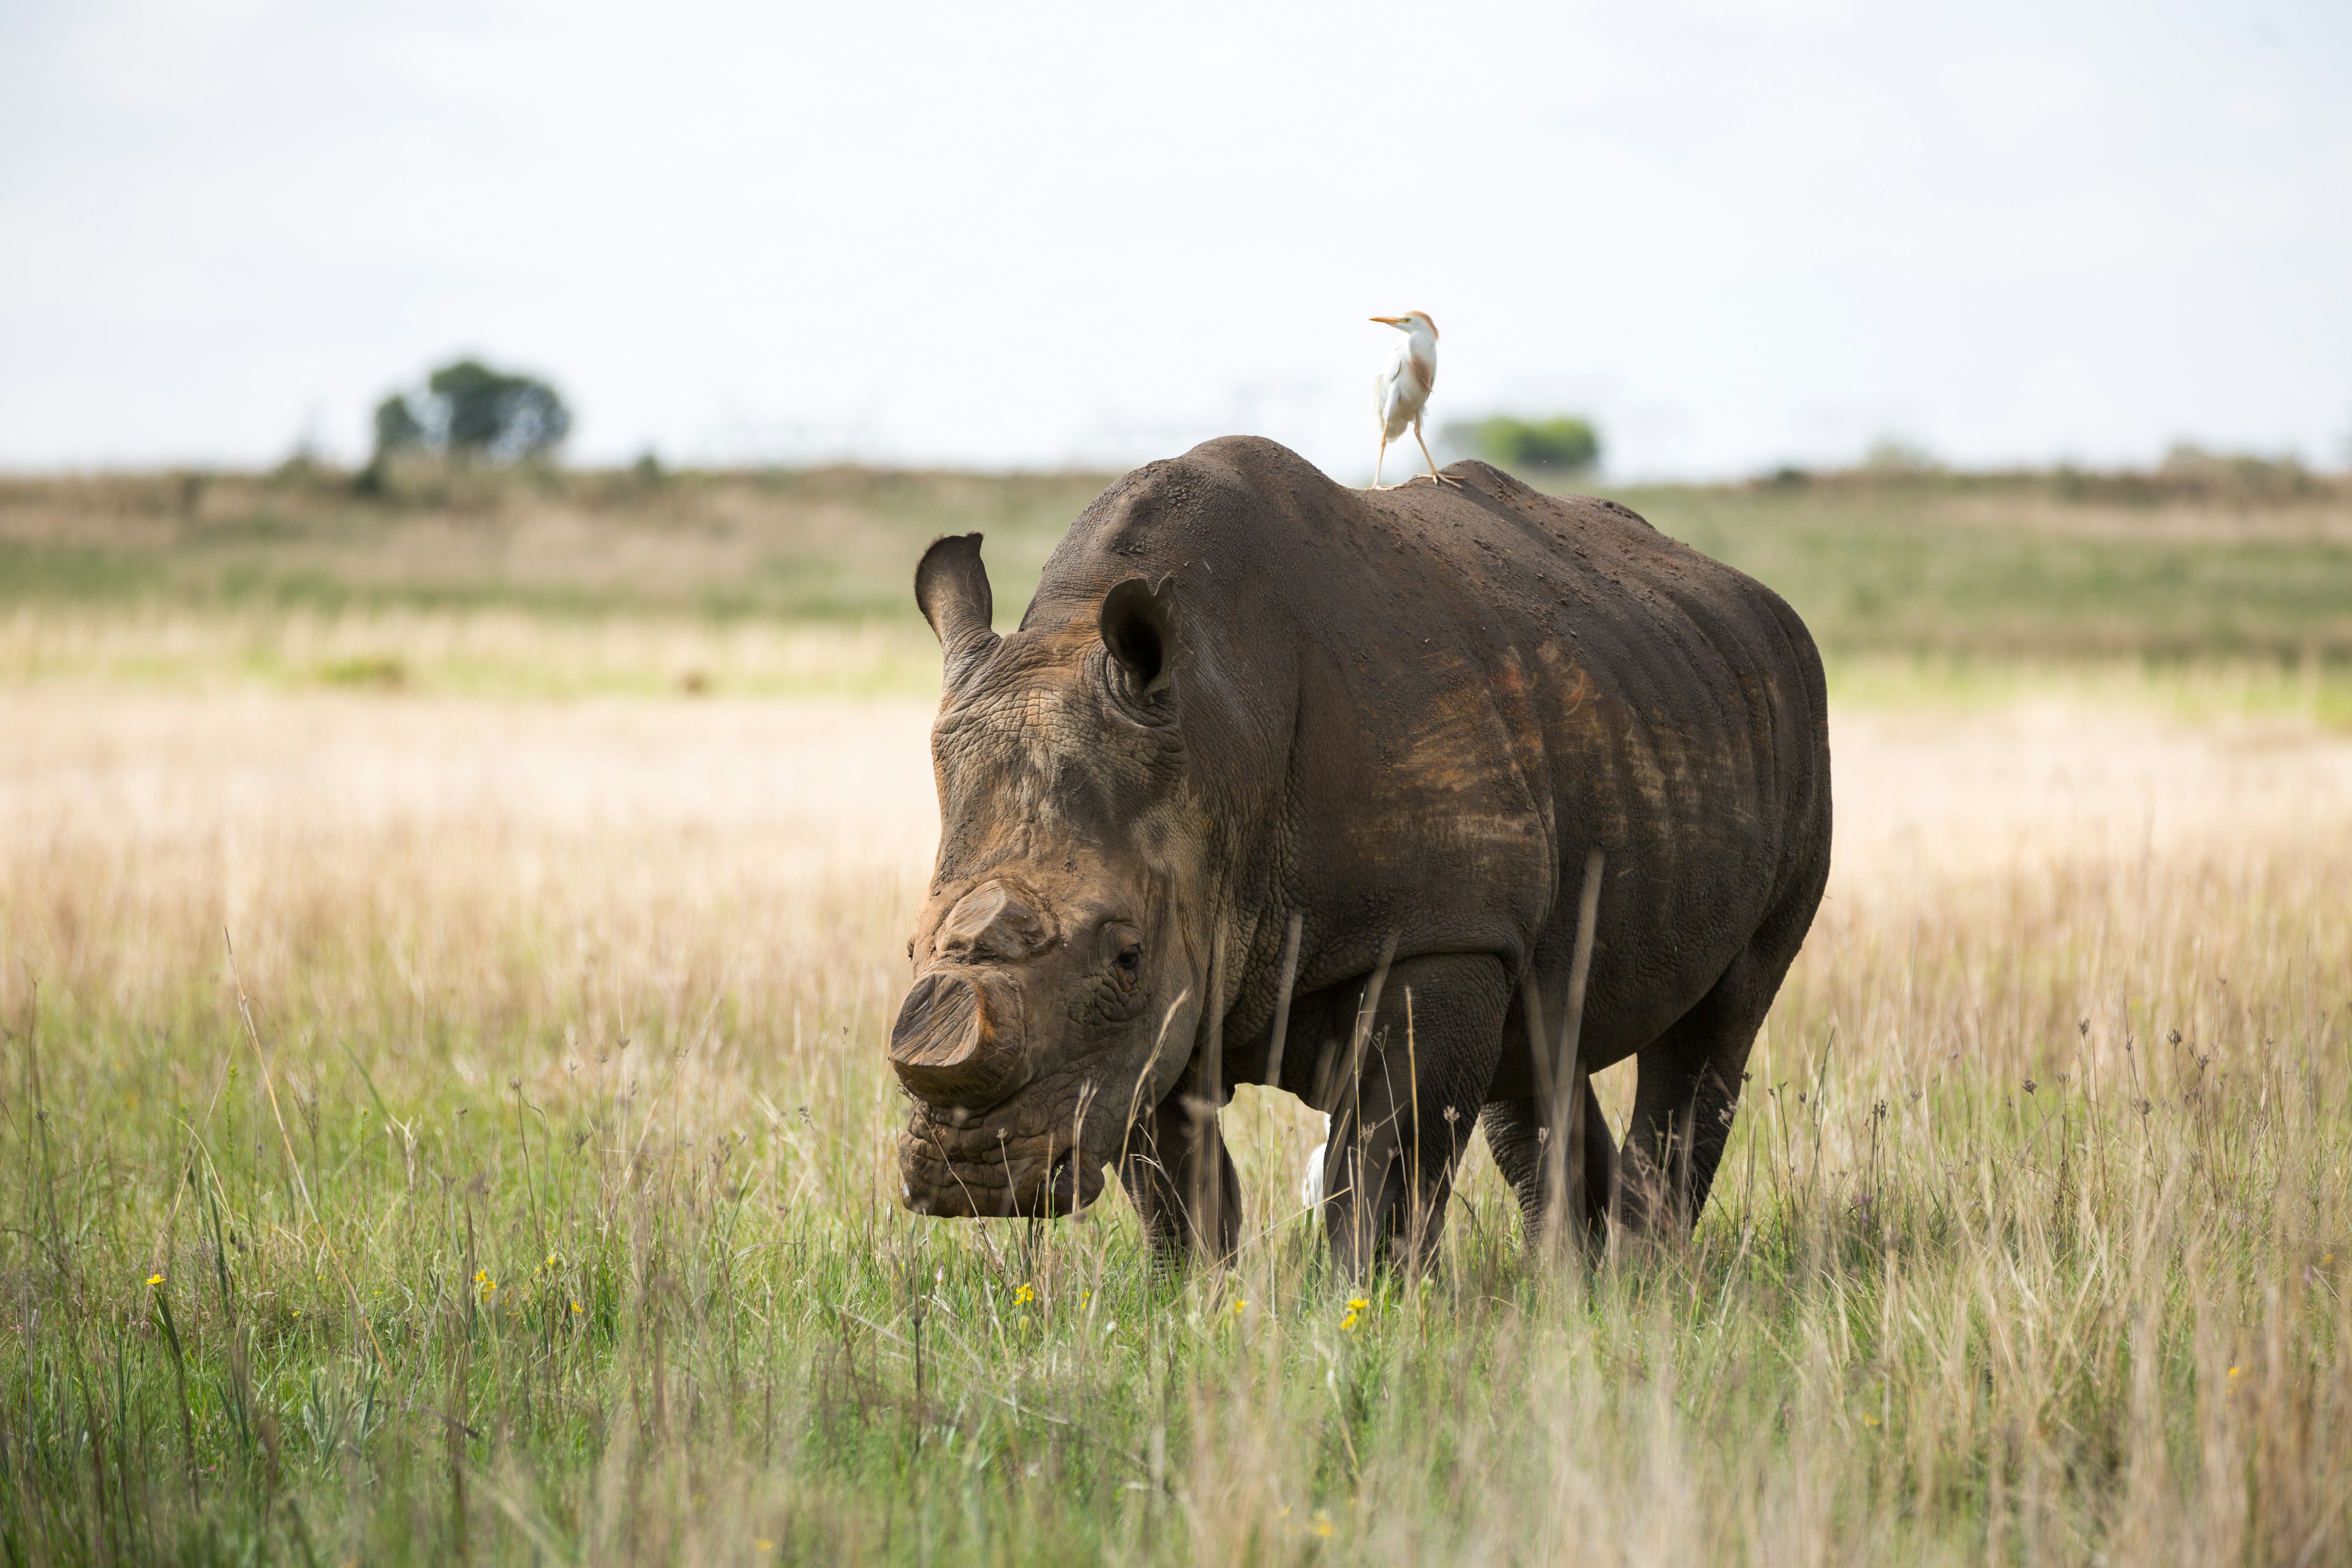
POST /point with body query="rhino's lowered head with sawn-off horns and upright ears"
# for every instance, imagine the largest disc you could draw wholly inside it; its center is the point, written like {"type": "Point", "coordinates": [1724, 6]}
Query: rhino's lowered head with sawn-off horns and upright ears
{"type": "Point", "coordinates": [1055, 986]}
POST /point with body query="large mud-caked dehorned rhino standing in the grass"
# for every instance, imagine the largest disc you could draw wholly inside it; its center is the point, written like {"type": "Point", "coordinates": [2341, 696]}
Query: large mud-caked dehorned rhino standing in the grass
{"type": "Point", "coordinates": [1405, 716]}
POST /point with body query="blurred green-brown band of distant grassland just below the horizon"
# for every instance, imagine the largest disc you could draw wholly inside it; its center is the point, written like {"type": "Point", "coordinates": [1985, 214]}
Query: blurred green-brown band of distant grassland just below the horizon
{"type": "Point", "coordinates": [2198, 558]}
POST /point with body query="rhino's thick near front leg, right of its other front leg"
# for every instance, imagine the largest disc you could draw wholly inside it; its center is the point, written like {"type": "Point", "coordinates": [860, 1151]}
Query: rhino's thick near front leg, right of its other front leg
{"type": "Point", "coordinates": [1398, 1127]}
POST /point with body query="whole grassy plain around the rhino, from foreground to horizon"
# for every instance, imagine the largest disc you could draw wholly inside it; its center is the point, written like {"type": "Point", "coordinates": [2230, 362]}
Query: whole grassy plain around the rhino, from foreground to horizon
{"type": "Point", "coordinates": [446, 1108]}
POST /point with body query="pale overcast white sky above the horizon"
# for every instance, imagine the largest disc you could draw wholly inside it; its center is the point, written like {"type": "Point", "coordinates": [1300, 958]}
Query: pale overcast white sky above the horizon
{"type": "Point", "coordinates": [1737, 234]}
